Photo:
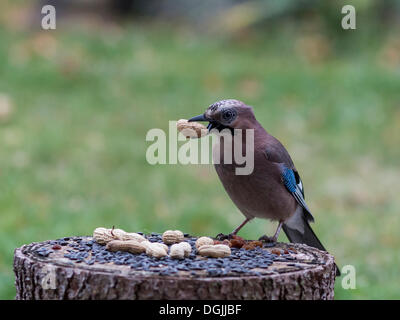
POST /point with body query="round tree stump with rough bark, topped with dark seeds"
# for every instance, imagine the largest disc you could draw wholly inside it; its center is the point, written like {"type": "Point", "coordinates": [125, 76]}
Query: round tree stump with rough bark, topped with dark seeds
{"type": "Point", "coordinates": [60, 269]}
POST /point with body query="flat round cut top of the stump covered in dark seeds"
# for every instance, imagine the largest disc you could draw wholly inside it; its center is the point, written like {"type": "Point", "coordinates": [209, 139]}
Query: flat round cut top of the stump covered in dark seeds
{"type": "Point", "coordinates": [82, 253]}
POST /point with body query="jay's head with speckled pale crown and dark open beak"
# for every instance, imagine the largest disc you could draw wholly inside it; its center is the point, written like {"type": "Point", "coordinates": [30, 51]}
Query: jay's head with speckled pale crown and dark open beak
{"type": "Point", "coordinates": [230, 113]}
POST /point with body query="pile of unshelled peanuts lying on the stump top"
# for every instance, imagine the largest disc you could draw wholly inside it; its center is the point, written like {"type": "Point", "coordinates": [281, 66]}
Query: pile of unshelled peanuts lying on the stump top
{"type": "Point", "coordinates": [119, 240]}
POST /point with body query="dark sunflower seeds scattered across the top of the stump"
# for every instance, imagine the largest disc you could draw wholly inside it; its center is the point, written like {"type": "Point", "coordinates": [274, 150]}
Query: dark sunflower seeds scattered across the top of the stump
{"type": "Point", "coordinates": [245, 256]}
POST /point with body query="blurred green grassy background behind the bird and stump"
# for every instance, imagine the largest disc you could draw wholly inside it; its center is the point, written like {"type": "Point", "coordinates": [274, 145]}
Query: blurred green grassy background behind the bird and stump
{"type": "Point", "coordinates": [76, 104]}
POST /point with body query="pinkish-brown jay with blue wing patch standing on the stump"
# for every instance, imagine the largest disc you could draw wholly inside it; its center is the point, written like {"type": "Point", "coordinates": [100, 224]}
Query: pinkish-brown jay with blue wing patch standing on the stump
{"type": "Point", "coordinates": [273, 190]}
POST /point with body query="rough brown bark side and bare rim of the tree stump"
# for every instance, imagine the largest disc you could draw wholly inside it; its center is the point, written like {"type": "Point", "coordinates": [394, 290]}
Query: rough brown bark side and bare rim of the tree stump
{"type": "Point", "coordinates": [311, 275]}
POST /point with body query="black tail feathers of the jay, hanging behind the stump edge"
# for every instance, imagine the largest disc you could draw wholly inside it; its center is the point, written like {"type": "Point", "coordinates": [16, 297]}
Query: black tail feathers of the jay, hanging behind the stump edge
{"type": "Point", "coordinates": [305, 235]}
